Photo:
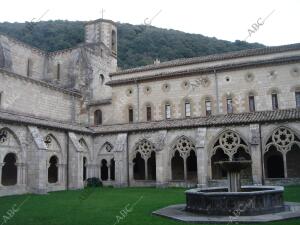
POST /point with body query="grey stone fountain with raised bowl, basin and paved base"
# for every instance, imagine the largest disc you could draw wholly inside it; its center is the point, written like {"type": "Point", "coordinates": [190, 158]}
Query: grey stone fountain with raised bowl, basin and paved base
{"type": "Point", "coordinates": [243, 203]}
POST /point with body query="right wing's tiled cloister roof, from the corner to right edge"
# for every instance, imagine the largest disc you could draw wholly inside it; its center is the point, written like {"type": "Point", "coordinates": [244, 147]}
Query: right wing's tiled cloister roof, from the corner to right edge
{"type": "Point", "coordinates": [284, 115]}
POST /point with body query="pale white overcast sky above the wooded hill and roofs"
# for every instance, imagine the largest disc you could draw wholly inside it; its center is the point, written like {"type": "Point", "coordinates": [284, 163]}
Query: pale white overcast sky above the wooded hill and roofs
{"type": "Point", "coordinates": [277, 22]}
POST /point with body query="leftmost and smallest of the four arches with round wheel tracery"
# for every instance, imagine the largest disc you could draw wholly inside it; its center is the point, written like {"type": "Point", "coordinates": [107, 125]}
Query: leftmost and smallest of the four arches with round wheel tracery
{"type": "Point", "coordinates": [144, 160]}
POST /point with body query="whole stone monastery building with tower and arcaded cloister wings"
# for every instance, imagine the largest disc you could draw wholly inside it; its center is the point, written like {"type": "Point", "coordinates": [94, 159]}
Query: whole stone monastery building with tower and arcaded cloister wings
{"type": "Point", "coordinates": [70, 115]}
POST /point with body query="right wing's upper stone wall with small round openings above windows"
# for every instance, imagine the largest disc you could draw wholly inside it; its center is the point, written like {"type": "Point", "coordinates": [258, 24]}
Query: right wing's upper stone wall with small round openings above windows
{"type": "Point", "coordinates": [260, 82]}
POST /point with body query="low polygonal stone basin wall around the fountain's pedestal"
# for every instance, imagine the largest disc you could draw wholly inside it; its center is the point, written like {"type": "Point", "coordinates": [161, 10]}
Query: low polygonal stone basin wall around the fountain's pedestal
{"type": "Point", "coordinates": [252, 200]}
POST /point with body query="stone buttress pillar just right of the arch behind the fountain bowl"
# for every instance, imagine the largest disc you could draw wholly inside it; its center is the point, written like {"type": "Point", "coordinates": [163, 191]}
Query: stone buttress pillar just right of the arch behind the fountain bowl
{"type": "Point", "coordinates": [255, 152]}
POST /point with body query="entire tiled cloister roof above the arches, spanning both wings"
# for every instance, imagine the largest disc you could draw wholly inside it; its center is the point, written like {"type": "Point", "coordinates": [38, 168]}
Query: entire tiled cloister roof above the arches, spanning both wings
{"type": "Point", "coordinates": [284, 115]}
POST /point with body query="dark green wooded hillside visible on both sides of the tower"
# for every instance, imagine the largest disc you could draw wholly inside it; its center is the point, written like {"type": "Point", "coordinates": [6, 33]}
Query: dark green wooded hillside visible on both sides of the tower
{"type": "Point", "coordinates": [138, 45]}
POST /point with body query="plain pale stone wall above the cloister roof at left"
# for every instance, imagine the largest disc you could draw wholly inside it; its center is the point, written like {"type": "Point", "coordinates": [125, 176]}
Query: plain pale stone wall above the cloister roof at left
{"type": "Point", "coordinates": [37, 98]}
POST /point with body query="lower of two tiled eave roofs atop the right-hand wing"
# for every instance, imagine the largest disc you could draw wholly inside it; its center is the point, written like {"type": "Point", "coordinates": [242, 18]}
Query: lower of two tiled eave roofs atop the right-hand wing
{"type": "Point", "coordinates": [208, 70]}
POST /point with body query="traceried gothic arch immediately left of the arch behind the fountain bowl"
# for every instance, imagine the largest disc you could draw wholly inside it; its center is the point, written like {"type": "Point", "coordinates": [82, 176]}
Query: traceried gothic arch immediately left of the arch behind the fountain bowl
{"type": "Point", "coordinates": [183, 159]}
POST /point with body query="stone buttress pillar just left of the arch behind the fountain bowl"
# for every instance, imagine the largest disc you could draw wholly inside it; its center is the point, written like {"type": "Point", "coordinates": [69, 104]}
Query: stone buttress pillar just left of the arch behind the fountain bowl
{"type": "Point", "coordinates": [202, 157]}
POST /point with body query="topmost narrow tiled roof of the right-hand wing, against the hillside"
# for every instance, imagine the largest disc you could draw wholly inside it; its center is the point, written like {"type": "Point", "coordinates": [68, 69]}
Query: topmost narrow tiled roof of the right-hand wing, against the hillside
{"type": "Point", "coordinates": [211, 58]}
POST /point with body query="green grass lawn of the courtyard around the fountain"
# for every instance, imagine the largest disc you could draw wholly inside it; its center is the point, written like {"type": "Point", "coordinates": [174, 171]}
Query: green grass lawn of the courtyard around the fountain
{"type": "Point", "coordinates": [101, 206]}
